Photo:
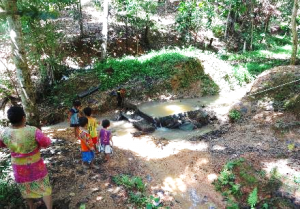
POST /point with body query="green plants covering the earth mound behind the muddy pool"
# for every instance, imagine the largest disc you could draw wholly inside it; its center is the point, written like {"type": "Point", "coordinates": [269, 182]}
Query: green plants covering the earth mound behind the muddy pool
{"type": "Point", "coordinates": [157, 65]}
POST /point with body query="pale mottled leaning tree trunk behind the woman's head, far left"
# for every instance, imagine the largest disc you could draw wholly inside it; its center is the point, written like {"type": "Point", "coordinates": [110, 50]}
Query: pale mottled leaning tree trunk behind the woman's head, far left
{"type": "Point", "coordinates": [27, 89]}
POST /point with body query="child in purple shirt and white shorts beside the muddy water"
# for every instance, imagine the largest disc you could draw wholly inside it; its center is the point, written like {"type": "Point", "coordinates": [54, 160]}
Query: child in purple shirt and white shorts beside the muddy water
{"type": "Point", "coordinates": [106, 140]}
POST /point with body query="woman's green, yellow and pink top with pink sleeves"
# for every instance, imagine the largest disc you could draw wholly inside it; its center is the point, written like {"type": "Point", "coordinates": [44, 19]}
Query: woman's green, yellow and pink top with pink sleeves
{"type": "Point", "coordinates": [24, 144]}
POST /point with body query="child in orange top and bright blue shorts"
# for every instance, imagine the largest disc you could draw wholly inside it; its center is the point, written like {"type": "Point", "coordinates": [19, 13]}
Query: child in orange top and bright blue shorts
{"type": "Point", "coordinates": [87, 146]}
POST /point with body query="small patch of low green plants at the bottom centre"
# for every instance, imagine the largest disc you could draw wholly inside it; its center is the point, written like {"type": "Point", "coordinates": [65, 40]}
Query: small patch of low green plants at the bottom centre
{"type": "Point", "coordinates": [136, 191]}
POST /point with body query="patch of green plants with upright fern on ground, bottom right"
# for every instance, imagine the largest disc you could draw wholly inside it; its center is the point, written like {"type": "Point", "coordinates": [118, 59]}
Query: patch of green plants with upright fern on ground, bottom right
{"type": "Point", "coordinates": [245, 186]}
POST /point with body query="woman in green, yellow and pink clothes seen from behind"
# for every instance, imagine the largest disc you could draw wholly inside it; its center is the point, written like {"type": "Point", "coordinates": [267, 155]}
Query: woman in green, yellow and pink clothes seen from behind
{"type": "Point", "coordinates": [24, 143]}
